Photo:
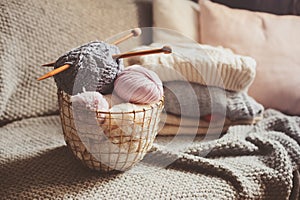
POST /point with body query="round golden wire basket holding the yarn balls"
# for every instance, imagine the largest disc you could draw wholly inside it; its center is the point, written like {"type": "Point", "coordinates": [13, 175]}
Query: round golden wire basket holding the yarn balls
{"type": "Point", "coordinates": [108, 141]}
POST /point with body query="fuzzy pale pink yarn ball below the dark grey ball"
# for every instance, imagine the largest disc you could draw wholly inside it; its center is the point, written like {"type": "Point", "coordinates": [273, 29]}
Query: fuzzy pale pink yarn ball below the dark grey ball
{"type": "Point", "coordinates": [86, 104]}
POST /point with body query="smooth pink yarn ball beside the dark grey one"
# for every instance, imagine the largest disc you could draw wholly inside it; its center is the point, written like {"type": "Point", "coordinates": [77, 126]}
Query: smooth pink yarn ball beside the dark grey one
{"type": "Point", "coordinates": [136, 84]}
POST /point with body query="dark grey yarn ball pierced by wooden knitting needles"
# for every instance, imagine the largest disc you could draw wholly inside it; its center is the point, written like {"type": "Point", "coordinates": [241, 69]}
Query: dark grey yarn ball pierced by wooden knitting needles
{"type": "Point", "coordinates": [92, 68]}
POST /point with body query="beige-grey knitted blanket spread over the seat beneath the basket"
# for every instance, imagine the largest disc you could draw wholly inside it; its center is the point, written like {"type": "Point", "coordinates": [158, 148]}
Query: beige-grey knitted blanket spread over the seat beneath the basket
{"type": "Point", "coordinates": [248, 162]}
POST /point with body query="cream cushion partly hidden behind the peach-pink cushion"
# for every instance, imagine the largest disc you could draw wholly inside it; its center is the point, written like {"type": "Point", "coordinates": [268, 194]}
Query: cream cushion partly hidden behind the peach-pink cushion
{"type": "Point", "coordinates": [181, 16]}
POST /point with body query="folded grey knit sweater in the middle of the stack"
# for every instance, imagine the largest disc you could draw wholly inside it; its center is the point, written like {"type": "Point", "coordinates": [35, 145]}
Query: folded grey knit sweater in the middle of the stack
{"type": "Point", "coordinates": [236, 105]}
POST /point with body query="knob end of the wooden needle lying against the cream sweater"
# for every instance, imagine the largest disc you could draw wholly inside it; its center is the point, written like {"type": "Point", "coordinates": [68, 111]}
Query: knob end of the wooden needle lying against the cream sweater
{"type": "Point", "coordinates": [164, 49]}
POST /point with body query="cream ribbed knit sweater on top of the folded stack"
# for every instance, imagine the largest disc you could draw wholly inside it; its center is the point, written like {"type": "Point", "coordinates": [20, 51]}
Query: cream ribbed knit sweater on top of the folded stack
{"type": "Point", "coordinates": [203, 64]}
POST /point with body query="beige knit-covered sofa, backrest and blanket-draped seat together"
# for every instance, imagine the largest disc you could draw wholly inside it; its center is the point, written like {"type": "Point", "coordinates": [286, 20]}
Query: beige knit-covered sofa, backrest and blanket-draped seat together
{"type": "Point", "coordinates": [248, 162]}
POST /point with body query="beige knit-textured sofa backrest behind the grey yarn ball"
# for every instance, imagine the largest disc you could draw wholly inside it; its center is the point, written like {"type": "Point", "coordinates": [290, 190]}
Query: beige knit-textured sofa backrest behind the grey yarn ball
{"type": "Point", "coordinates": [38, 32]}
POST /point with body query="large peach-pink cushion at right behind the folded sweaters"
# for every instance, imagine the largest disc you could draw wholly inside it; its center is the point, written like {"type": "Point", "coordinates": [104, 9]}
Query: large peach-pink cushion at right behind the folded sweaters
{"type": "Point", "coordinates": [274, 41]}
